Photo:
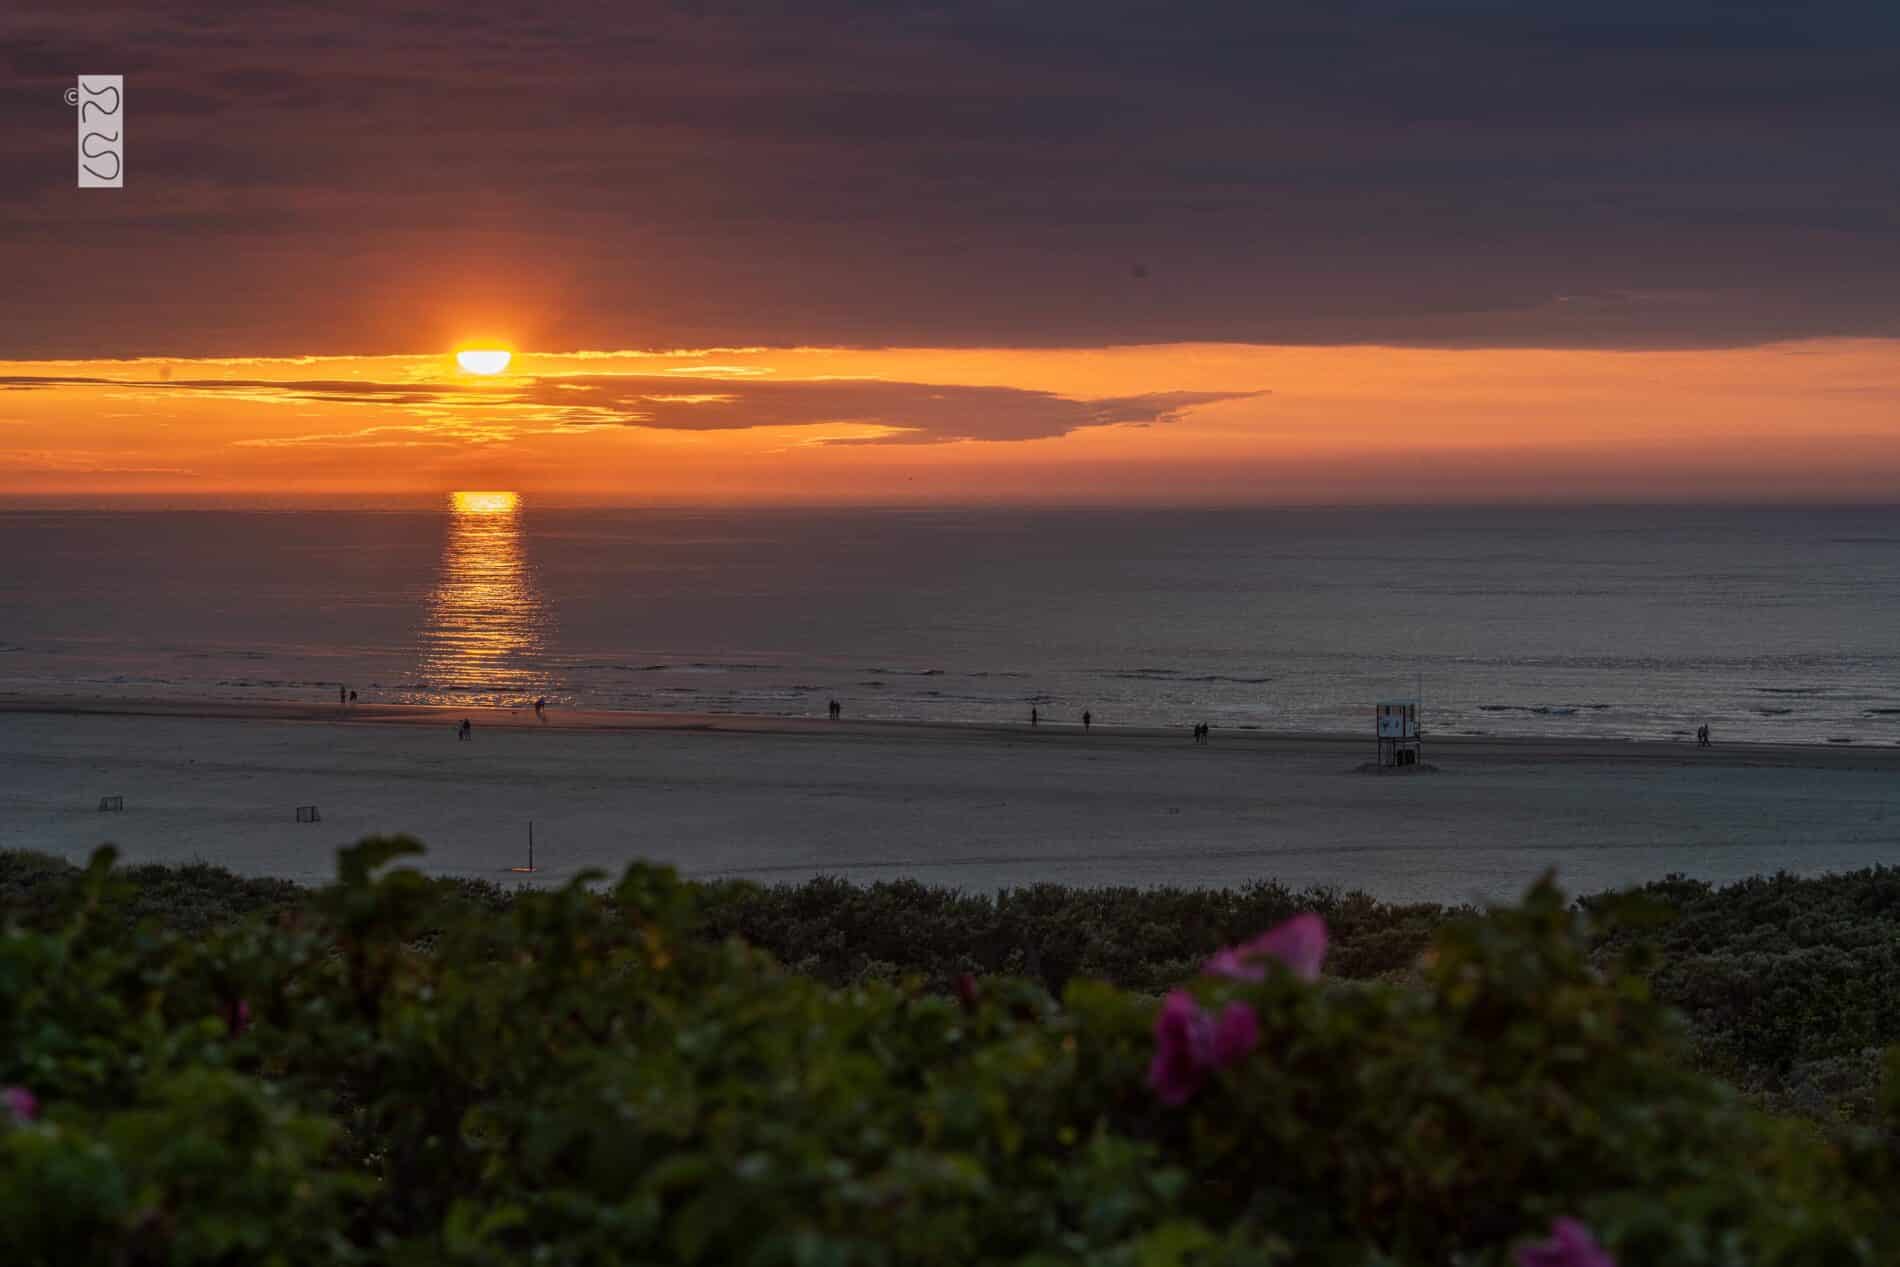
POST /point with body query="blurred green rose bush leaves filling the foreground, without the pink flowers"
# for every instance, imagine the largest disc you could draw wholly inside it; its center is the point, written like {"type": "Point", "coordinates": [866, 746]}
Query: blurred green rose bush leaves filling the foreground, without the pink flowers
{"type": "Point", "coordinates": [398, 1070]}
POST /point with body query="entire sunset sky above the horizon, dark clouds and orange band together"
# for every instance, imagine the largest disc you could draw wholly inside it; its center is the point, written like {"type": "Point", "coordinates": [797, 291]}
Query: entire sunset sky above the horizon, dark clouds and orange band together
{"type": "Point", "coordinates": [1348, 252]}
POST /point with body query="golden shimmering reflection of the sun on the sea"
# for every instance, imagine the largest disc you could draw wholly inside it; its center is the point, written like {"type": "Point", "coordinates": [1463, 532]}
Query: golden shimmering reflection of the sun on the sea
{"type": "Point", "coordinates": [487, 624]}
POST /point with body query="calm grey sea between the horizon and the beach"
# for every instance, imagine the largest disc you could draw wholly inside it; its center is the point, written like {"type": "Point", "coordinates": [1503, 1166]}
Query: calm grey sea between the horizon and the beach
{"type": "Point", "coordinates": [1768, 624]}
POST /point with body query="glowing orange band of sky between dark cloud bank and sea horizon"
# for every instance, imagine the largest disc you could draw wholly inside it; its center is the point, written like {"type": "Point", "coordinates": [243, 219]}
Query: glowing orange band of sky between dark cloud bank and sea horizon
{"type": "Point", "coordinates": [1187, 423]}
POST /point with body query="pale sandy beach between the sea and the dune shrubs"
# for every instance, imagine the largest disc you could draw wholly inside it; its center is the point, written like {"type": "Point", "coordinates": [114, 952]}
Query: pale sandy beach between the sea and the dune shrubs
{"type": "Point", "coordinates": [972, 806]}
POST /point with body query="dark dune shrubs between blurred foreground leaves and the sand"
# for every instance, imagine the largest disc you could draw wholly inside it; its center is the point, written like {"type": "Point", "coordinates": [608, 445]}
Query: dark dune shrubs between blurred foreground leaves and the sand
{"type": "Point", "coordinates": [1791, 987]}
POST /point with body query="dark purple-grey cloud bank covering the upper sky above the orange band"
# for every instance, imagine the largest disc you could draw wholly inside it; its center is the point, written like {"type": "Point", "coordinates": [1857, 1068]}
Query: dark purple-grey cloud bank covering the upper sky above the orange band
{"type": "Point", "coordinates": [366, 180]}
